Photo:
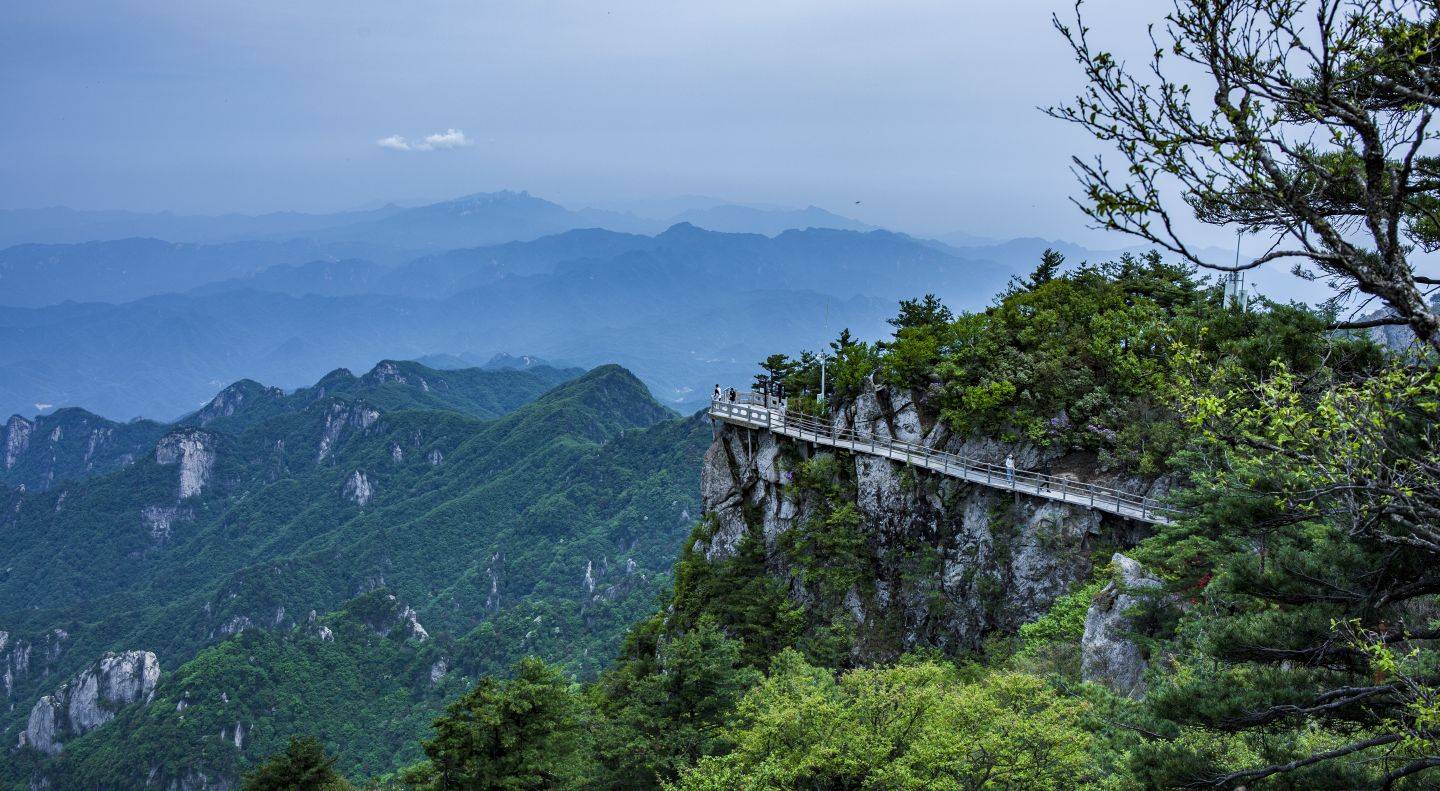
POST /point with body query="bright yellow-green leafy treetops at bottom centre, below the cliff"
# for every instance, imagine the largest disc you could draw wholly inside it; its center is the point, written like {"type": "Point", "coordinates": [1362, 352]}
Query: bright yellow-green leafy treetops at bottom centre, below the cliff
{"type": "Point", "coordinates": [917, 725]}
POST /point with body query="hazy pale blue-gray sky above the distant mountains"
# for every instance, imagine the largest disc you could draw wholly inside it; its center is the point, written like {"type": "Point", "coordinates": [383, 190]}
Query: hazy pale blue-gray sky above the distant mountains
{"type": "Point", "coordinates": [924, 112]}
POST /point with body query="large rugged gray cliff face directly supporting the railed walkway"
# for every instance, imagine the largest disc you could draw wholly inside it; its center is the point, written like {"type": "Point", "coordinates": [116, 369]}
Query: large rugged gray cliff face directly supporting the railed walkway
{"type": "Point", "coordinates": [948, 563]}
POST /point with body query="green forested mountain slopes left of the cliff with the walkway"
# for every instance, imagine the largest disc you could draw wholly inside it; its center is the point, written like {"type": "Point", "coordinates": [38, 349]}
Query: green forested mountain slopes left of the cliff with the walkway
{"type": "Point", "coordinates": [546, 531]}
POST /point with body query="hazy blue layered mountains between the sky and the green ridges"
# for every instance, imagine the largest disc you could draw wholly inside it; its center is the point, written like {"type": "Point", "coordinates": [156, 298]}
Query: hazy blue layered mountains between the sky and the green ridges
{"type": "Point", "coordinates": [136, 315]}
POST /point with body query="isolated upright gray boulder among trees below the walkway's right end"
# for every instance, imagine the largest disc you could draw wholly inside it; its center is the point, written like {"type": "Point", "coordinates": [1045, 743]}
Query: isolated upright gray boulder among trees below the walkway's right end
{"type": "Point", "coordinates": [1108, 652]}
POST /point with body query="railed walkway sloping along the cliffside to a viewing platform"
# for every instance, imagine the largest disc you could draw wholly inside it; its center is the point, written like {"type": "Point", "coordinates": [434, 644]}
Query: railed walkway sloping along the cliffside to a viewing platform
{"type": "Point", "coordinates": [752, 411]}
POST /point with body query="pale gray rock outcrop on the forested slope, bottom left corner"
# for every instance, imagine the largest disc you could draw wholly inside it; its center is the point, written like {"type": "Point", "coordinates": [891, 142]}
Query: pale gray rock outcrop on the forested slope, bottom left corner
{"type": "Point", "coordinates": [91, 700]}
